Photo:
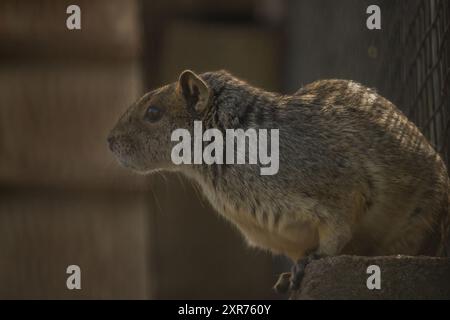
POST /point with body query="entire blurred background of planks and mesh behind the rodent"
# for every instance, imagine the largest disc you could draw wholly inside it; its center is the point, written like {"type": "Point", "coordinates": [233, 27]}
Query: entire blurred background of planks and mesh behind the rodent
{"type": "Point", "coordinates": [63, 198]}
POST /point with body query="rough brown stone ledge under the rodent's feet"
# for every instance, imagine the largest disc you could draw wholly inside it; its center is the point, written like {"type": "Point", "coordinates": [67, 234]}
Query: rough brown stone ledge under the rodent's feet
{"type": "Point", "coordinates": [402, 277]}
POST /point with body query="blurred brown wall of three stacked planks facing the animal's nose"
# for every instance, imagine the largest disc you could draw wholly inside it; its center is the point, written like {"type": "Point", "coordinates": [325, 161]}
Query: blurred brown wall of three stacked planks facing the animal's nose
{"type": "Point", "coordinates": [63, 199]}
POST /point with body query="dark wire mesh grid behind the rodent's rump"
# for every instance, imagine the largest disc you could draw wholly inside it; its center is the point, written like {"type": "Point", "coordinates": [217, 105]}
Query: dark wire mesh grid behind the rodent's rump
{"type": "Point", "coordinates": [415, 65]}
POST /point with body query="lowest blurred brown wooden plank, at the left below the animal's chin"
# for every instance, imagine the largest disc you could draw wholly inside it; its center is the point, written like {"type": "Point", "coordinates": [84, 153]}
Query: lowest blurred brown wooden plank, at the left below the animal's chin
{"type": "Point", "coordinates": [42, 233]}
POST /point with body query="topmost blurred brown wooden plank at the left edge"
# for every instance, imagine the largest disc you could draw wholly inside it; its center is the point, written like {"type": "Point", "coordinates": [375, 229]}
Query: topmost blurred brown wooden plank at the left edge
{"type": "Point", "coordinates": [37, 29]}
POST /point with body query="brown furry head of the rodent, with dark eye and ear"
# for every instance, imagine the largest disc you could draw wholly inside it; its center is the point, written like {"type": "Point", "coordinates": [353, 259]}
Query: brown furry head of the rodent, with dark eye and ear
{"type": "Point", "coordinates": [141, 138]}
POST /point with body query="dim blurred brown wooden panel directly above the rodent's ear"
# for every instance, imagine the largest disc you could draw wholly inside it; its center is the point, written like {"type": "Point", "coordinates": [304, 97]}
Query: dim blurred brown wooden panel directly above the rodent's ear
{"type": "Point", "coordinates": [248, 52]}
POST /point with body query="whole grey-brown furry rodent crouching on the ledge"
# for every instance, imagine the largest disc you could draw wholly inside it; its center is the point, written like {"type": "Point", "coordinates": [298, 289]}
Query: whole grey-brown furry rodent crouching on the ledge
{"type": "Point", "coordinates": [355, 175]}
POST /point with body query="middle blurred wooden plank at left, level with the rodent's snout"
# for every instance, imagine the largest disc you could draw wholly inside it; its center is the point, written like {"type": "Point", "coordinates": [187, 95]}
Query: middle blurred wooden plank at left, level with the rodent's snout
{"type": "Point", "coordinates": [54, 121]}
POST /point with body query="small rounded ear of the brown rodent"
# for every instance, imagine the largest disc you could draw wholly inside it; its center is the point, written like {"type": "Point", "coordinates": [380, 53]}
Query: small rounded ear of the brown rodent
{"type": "Point", "coordinates": [194, 90]}
